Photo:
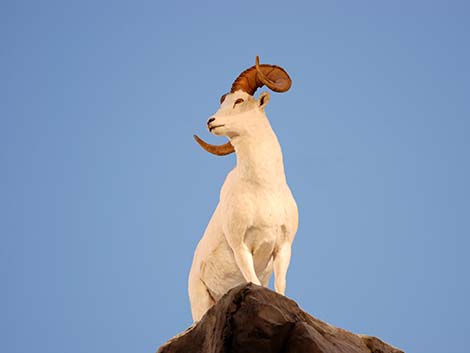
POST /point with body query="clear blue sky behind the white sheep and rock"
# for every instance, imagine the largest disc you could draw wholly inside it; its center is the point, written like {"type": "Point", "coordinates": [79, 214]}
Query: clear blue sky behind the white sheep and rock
{"type": "Point", "coordinates": [104, 194]}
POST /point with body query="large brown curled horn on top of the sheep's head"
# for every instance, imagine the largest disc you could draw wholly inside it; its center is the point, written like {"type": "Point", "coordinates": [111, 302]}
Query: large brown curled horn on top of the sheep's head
{"type": "Point", "coordinates": [273, 76]}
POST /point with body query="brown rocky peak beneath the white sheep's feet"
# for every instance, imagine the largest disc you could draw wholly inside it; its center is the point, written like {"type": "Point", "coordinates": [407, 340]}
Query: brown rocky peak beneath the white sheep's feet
{"type": "Point", "coordinates": [251, 319]}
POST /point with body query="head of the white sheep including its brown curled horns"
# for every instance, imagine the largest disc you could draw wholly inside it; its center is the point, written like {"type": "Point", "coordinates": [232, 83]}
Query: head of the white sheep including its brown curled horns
{"type": "Point", "coordinates": [228, 120]}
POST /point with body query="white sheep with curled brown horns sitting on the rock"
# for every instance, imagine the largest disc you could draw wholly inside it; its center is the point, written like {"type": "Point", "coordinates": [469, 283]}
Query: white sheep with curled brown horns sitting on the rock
{"type": "Point", "coordinates": [254, 224]}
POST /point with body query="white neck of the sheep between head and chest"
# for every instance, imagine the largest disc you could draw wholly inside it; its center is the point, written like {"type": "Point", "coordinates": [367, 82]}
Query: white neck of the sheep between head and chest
{"type": "Point", "coordinates": [259, 159]}
